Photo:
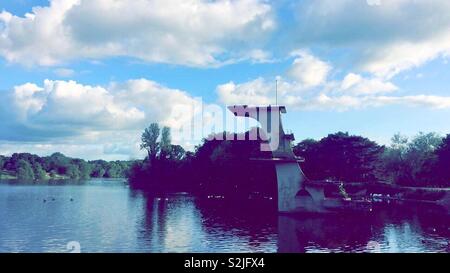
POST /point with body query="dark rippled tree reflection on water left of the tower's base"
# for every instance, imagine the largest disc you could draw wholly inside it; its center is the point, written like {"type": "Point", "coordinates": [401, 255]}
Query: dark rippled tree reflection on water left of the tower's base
{"type": "Point", "coordinates": [181, 223]}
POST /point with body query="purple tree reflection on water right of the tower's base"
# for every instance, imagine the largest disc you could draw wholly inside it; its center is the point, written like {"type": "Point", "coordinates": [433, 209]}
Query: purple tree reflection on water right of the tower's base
{"type": "Point", "coordinates": [404, 227]}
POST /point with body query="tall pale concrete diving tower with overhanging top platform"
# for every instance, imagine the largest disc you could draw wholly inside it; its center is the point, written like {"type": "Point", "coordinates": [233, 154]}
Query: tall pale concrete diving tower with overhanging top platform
{"type": "Point", "coordinates": [290, 177]}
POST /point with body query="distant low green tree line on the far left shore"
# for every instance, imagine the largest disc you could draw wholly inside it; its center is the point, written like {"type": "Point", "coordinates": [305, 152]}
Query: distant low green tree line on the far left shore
{"type": "Point", "coordinates": [27, 166]}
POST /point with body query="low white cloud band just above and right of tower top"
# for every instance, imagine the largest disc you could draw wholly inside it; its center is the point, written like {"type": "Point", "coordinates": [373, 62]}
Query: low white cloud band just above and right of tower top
{"type": "Point", "coordinates": [351, 92]}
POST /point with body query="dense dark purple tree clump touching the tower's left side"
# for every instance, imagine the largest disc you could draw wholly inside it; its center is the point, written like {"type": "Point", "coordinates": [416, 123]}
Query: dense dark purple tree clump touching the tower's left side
{"type": "Point", "coordinates": [225, 167]}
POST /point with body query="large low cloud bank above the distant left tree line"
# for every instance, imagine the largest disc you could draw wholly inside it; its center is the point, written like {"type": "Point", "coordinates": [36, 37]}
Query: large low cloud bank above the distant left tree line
{"type": "Point", "coordinates": [103, 121]}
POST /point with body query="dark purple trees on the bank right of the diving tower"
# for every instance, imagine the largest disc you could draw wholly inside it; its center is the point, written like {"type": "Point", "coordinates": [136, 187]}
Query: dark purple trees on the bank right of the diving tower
{"type": "Point", "coordinates": [422, 161]}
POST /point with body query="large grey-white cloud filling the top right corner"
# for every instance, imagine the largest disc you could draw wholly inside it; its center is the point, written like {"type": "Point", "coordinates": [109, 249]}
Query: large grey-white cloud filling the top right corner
{"type": "Point", "coordinates": [384, 37]}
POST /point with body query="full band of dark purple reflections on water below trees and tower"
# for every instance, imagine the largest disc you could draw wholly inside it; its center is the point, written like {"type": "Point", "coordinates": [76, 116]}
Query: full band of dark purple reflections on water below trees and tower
{"type": "Point", "coordinates": [182, 223]}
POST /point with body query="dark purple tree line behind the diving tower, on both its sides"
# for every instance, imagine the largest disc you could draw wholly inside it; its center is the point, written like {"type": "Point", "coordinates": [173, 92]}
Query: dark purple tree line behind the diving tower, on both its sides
{"type": "Point", "coordinates": [227, 167]}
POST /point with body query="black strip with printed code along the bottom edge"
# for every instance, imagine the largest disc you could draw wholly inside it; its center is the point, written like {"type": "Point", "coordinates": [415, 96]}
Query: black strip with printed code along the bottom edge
{"type": "Point", "coordinates": [226, 262]}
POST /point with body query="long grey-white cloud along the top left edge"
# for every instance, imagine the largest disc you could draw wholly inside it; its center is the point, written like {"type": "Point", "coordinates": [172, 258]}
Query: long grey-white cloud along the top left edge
{"type": "Point", "coordinates": [185, 32]}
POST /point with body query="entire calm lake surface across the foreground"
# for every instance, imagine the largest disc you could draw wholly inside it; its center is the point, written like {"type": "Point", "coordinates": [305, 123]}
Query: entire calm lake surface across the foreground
{"type": "Point", "coordinates": [106, 216]}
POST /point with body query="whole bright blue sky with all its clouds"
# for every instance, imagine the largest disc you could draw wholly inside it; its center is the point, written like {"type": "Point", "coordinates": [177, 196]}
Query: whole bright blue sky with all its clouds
{"type": "Point", "coordinates": [85, 77]}
